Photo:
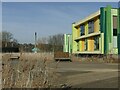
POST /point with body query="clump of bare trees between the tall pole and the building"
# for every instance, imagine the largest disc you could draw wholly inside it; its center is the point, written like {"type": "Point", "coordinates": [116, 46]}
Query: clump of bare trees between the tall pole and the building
{"type": "Point", "coordinates": [51, 43]}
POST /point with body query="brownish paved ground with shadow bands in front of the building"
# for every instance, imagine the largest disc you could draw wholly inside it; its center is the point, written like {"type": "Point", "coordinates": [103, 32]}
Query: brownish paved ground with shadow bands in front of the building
{"type": "Point", "coordinates": [90, 75]}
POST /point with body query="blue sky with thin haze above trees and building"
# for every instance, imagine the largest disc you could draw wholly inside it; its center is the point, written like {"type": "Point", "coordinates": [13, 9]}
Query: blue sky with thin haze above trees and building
{"type": "Point", "coordinates": [48, 18]}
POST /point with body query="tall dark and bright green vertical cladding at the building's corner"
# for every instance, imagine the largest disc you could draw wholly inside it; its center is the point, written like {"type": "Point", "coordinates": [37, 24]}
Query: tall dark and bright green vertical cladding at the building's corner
{"type": "Point", "coordinates": [105, 26]}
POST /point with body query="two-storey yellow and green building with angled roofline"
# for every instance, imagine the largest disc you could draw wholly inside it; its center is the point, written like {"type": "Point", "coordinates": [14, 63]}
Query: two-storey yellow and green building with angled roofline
{"type": "Point", "coordinates": [98, 33]}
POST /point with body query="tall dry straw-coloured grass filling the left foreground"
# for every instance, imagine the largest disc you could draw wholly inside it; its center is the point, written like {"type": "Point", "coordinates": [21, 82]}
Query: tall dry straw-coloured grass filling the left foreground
{"type": "Point", "coordinates": [30, 71]}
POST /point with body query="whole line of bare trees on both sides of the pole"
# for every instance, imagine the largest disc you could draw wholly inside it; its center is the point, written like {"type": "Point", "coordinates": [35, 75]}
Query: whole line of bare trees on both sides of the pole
{"type": "Point", "coordinates": [45, 44]}
